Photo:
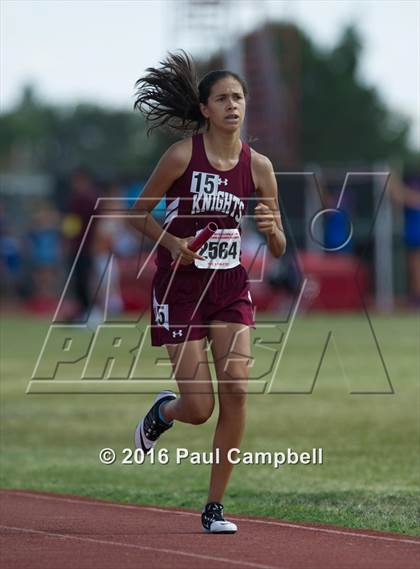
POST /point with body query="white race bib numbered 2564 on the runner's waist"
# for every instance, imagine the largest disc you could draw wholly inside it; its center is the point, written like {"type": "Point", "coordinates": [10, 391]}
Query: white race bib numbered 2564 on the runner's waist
{"type": "Point", "coordinates": [221, 251]}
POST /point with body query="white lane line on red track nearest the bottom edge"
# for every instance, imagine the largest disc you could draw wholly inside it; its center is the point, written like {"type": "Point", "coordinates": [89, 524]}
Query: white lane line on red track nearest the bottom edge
{"type": "Point", "coordinates": [143, 547]}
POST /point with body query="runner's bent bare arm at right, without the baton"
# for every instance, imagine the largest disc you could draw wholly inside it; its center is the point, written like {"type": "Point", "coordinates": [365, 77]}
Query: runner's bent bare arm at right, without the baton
{"type": "Point", "coordinates": [267, 212]}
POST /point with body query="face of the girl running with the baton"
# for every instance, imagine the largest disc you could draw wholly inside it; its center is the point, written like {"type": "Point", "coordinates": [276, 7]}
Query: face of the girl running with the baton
{"type": "Point", "coordinates": [225, 108]}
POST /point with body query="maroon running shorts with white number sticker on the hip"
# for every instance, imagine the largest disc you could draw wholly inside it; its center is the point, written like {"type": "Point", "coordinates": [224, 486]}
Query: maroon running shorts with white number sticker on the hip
{"type": "Point", "coordinates": [182, 309]}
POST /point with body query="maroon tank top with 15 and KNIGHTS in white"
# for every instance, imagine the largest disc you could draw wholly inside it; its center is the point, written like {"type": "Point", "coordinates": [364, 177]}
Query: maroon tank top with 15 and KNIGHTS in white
{"type": "Point", "coordinates": [203, 194]}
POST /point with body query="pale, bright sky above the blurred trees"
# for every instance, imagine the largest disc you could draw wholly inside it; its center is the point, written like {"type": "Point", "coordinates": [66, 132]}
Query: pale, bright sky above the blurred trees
{"type": "Point", "coordinates": [95, 49]}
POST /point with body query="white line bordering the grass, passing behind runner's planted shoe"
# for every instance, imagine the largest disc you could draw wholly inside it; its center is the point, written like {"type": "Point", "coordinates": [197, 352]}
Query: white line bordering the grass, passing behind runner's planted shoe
{"type": "Point", "coordinates": [246, 520]}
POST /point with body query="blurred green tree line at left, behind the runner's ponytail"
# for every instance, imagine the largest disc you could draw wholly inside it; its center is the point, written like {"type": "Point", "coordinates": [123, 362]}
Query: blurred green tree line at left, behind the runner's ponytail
{"type": "Point", "coordinates": [36, 136]}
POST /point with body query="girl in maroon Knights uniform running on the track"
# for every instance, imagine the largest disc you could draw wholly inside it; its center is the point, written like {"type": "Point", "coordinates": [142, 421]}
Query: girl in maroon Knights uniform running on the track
{"type": "Point", "coordinates": [207, 177]}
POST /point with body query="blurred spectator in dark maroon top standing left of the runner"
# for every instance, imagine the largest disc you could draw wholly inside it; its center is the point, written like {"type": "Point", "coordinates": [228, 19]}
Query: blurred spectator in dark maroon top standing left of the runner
{"type": "Point", "coordinates": [81, 204]}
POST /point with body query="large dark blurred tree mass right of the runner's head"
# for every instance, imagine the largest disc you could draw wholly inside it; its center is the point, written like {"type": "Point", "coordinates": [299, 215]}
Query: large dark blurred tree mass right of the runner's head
{"type": "Point", "coordinates": [314, 99]}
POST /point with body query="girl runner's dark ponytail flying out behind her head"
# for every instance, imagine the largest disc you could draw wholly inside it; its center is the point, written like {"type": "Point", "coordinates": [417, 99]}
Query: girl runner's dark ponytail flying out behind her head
{"type": "Point", "coordinates": [169, 96]}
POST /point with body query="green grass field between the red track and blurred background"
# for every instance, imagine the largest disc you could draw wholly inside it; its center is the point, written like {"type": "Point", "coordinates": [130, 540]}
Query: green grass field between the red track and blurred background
{"type": "Point", "coordinates": [370, 475]}
